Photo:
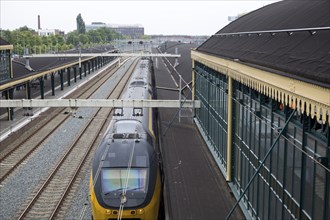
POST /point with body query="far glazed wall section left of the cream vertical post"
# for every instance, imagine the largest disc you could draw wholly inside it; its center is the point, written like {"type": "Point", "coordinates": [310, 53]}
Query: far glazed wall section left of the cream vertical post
{"type": "Point", "coordinates": [210, 89]}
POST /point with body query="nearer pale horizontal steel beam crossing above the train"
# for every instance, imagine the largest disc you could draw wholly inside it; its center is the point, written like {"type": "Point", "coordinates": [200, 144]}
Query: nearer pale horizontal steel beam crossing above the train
{"type": "Point", "coordinates": [118, 103]}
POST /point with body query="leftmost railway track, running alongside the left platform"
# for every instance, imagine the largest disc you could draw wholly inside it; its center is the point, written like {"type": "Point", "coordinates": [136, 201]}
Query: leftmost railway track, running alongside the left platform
{"type": "Point", "coordinates": [23, 147]}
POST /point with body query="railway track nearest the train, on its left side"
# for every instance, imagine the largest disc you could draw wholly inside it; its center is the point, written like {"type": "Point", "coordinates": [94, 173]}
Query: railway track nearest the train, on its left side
{"type": "Point", "coordinates": [48, 199]}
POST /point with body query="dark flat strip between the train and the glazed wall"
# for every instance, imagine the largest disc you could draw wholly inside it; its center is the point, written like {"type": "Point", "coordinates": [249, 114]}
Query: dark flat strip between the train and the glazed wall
{"type": "Point", "coordinates": [194, 186]}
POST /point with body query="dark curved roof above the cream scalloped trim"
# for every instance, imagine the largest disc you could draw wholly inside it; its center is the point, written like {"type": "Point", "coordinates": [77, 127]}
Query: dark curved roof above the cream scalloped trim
{"type": "Point", "coordinates": [300, 54]}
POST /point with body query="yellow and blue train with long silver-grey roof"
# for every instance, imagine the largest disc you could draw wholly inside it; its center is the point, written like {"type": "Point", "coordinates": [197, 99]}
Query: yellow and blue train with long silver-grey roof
{"type": "Point", "coordinates": [125, 180]}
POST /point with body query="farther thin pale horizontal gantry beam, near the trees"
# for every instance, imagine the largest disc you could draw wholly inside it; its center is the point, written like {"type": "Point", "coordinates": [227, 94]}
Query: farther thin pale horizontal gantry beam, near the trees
{"type": "Point", "coordinates": [103, 55]}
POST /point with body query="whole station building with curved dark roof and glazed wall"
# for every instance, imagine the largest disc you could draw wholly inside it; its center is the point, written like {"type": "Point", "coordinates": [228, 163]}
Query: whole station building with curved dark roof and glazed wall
{"type": "Point", "coordinates": [264, 84]}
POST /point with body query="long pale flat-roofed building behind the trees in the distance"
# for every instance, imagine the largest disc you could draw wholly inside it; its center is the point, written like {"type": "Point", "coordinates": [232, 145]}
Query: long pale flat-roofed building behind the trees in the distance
{"type": "Point", "coordinates": [133, 31]}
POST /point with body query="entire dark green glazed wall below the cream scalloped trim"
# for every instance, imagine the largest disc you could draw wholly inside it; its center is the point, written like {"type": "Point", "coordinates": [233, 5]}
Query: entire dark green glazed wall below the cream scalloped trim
{"type": "Point", "coordinates": [294, 182]}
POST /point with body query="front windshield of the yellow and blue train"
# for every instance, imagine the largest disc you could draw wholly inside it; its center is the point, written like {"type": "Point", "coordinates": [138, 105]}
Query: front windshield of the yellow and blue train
{"type": "Point", "coordinates": [118, 179]}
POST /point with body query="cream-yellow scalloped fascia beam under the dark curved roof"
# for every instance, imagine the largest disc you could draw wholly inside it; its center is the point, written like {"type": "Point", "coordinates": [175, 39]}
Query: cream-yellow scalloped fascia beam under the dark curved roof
{"type": "Point", "coordinates": [286, 90]}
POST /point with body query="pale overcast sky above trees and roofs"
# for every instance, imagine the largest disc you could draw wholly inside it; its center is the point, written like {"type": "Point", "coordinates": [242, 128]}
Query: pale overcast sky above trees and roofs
{"type": "Point", "coordinates": [157, 17]}
